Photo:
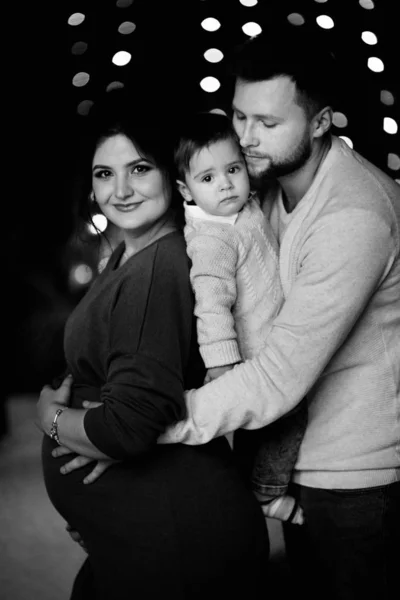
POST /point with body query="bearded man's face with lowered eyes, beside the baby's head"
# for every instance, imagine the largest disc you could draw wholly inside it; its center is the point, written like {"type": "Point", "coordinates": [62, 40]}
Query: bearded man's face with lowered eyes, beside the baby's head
{"type": "Point", "coordinates": [274, 131]}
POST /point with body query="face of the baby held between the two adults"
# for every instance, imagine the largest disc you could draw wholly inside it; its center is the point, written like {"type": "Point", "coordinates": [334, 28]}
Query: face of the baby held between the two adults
{"type": "Point", "coordinates": [217, 180]}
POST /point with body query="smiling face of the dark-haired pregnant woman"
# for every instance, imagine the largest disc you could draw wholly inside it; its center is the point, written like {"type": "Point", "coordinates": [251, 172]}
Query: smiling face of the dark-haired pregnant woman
{"type": "Point", "coordinates": [130, 190]}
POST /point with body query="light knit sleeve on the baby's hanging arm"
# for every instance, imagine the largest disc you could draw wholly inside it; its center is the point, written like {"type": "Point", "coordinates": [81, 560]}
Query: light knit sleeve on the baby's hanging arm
{"type": "Point", "coordinates": [213, 278]}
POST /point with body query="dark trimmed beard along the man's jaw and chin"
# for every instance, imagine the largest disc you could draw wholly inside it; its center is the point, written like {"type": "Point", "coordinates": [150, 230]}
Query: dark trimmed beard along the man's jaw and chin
{"type": "Point", "coordinates": [291, 163]}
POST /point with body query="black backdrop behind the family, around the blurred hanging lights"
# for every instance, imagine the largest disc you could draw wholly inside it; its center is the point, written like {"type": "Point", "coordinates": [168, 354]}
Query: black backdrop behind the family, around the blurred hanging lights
{"type": "Point", "coordinates": [41, 126]}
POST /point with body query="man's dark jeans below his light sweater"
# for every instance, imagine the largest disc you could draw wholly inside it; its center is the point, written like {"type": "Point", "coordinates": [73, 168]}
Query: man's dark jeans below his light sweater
{"type": "Point", "coordinates": [349, 545]}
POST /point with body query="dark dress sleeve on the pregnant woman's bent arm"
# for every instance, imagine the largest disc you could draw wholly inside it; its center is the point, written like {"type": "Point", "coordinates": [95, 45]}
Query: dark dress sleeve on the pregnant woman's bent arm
{"type": "Point", "coordinates": [149, 345]}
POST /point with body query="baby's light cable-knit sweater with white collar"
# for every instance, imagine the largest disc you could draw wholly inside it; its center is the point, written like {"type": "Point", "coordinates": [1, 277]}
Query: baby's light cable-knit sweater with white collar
{"type": "Point", "coordinates": [235, 277]}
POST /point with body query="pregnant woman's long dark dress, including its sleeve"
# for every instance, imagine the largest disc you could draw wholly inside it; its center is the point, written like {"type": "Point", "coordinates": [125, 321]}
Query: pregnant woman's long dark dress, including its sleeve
{"type": "Point", "coordinates": [169, 519]}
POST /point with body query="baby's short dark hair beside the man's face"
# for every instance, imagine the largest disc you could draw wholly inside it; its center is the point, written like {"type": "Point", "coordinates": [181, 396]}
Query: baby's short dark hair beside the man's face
{"type": "Point", "coordinates": [197, 132]}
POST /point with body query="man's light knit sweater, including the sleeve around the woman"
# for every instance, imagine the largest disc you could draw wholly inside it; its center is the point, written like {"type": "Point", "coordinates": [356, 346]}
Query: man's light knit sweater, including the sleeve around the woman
{"type": "Point", "coordinates": [337, 337]}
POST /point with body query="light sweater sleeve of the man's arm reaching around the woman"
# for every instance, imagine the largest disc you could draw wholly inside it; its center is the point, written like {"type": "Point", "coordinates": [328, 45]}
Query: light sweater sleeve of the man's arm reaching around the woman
{"type": "Point", "coordinates": [342, 262]}
